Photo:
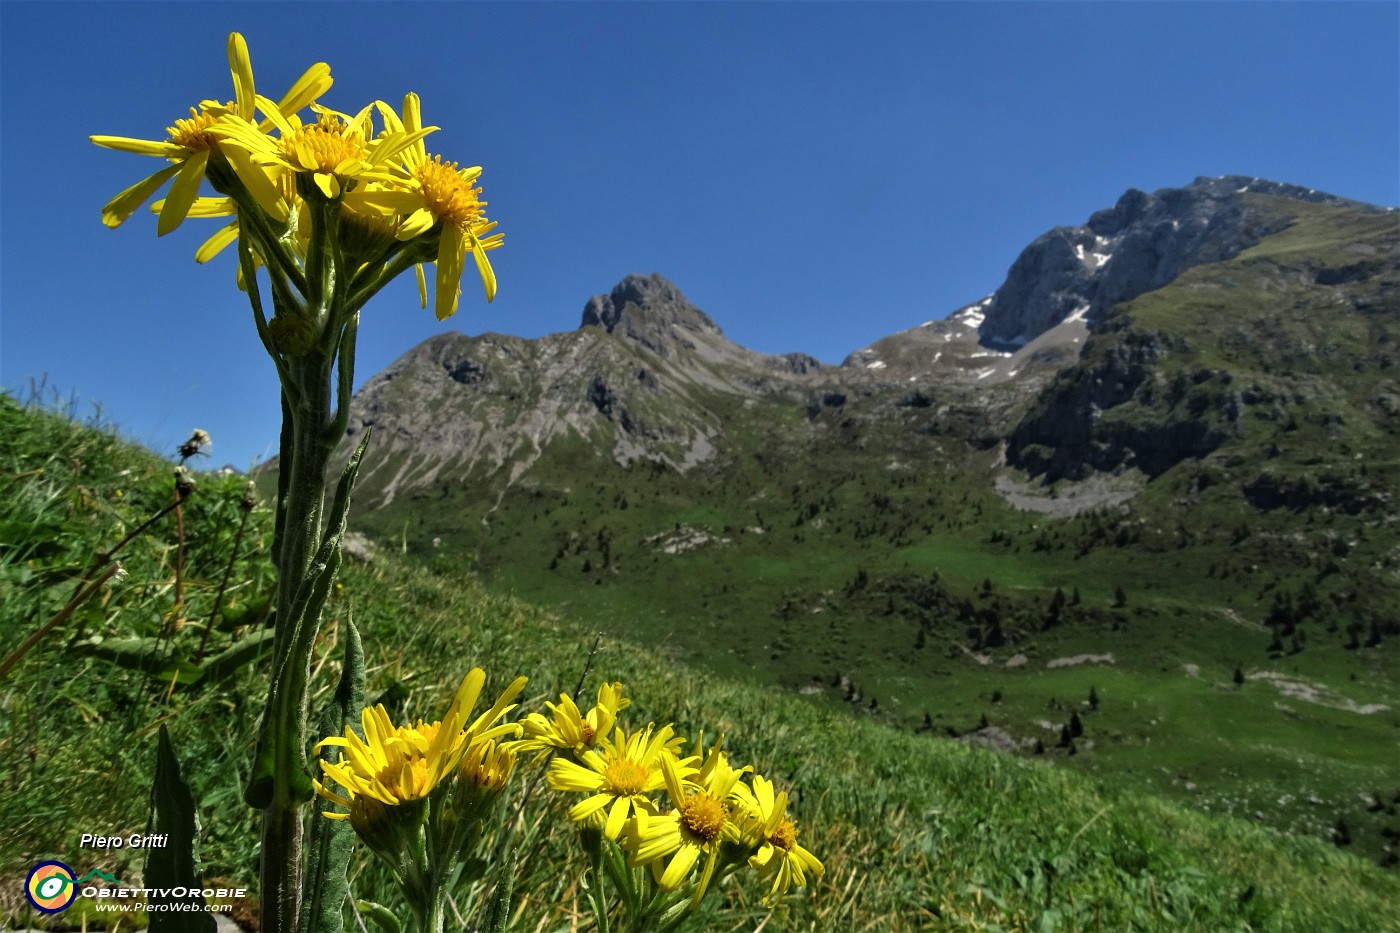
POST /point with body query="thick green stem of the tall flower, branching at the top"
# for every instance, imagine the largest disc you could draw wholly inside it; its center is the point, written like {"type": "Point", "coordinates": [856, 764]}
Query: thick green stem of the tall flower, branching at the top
{"type": "Point", "coordinates": [311, 343]}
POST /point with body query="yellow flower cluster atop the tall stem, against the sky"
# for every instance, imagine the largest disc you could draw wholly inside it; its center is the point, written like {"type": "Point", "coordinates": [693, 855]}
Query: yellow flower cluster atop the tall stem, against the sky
{"type": "Point", "coordinates": [271, 169]}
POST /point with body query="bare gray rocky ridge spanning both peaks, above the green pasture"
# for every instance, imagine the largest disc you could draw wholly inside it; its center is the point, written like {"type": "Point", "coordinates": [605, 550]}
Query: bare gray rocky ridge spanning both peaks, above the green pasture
{"type": "Point", "coordinates": [650, 378]}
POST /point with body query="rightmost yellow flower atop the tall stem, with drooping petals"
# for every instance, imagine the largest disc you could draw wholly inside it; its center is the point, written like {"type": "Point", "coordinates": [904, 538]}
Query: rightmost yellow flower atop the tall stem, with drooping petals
{"type": "Point", "coordinates": [437, 193]}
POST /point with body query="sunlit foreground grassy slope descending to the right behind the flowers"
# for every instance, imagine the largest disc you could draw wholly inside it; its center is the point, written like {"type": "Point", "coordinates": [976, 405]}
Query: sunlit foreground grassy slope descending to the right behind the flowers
{"type": "Point", "coordinates": [918, 833]}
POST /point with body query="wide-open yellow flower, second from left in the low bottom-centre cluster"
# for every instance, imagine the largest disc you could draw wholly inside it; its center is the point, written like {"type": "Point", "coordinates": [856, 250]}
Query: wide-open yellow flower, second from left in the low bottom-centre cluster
{"type": "Point", "coordinates": [619, 775]}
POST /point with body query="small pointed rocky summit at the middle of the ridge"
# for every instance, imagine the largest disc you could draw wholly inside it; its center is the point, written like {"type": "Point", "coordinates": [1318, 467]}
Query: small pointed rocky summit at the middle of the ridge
{"type": "Point", "coordinates": [652, 312]}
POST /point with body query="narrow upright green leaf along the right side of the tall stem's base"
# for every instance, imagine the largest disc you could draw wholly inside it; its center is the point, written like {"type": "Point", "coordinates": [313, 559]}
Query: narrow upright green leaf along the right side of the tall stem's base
{"type": "Point", "coordinates": [331, 843]}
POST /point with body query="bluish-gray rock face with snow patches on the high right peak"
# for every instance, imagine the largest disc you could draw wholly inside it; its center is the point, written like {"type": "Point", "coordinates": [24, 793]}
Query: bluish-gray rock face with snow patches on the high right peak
{"type": "Point", "coordinates": [1140, 244]}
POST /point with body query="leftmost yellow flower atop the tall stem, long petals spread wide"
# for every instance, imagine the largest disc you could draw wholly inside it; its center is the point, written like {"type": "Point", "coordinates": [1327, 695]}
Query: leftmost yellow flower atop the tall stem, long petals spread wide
{"type": "Point", "coordinates": [190, 142]}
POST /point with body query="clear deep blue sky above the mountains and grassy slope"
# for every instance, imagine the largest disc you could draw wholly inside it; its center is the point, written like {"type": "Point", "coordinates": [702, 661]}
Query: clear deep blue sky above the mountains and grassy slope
{"type": "Point", "coordinates": [813, 176]}
